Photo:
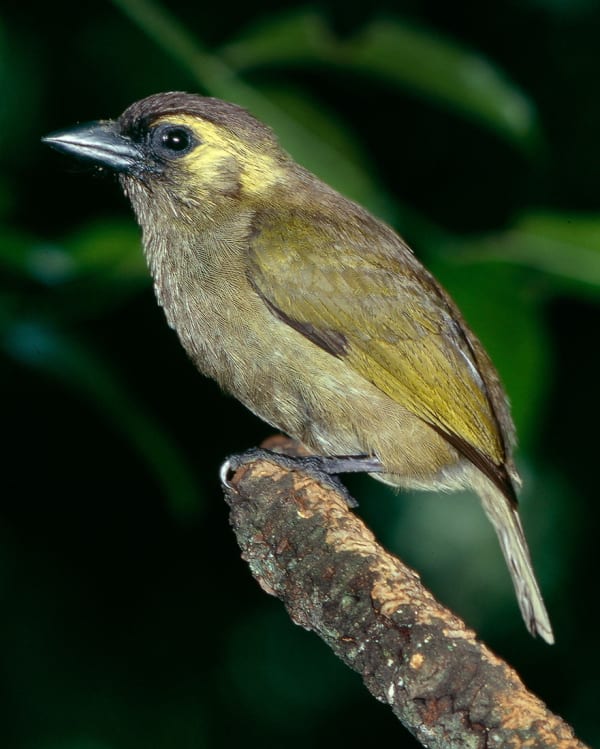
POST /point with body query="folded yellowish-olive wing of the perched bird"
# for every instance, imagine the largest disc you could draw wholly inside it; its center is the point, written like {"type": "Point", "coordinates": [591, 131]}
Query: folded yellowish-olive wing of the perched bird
{"type": "Point", "coordinates": [368, 300]}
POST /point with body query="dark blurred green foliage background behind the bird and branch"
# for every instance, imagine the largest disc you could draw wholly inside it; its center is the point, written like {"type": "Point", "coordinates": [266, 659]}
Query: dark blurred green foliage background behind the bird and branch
{"type": "Point", "coordinates": [128, 620]}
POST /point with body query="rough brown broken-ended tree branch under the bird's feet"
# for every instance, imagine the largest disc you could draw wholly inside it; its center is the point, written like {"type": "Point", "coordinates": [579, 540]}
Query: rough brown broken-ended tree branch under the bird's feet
{"type": "Point", "coordinates": [307, 548]}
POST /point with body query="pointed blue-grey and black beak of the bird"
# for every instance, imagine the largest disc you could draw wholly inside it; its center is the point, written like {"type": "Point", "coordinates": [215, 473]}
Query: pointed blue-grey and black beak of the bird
{"type": "Point", "coordinates": [100, 143]}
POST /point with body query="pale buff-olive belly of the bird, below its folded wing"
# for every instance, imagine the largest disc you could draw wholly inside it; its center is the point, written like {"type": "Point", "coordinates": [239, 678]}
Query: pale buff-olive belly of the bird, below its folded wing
{"type": "Point", "coordinates": [310, 394]}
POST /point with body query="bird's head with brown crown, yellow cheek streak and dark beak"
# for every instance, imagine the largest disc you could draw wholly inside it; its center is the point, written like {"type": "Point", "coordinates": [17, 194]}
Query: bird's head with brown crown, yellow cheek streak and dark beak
{"type": "Point", "coordinates": [181, 155]}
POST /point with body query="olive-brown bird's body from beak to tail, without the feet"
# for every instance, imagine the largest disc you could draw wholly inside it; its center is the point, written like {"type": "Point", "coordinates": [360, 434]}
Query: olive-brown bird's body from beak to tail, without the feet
{"type": "Point", "coordinates": [309, 310]}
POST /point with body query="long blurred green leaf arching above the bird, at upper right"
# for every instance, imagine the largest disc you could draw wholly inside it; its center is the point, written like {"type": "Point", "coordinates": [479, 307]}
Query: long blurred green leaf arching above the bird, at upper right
{"type": "Point", "coordinates": [421, 60]}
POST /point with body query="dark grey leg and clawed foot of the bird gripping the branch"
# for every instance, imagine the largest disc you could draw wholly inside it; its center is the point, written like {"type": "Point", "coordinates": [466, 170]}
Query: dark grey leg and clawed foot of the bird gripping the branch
{"type": "Point", "coordinates": [325, 469]}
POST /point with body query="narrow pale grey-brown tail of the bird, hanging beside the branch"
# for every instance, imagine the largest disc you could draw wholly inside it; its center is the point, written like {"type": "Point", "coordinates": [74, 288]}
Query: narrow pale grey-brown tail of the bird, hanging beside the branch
{"type": "Point", "coordinates": [507, 524]}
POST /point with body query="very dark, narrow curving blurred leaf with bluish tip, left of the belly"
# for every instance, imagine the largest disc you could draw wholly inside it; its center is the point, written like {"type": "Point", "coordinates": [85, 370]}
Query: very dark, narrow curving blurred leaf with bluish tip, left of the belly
{"type": "Point", "coordinates": [56, 353]}
